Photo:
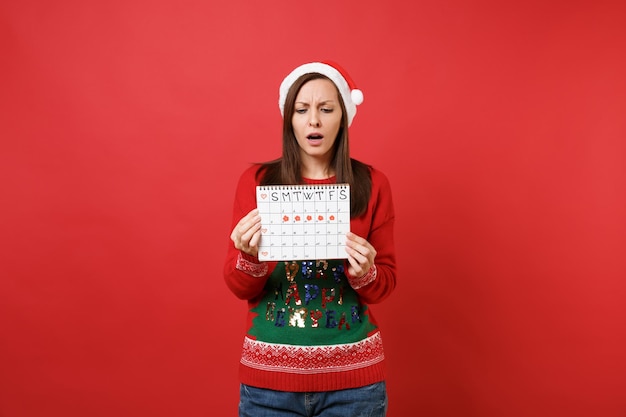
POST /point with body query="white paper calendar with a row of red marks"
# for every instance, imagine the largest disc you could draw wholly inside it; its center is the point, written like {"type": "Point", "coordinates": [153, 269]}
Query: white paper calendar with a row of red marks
{"type": "Point", "coordinates": [303, 221]}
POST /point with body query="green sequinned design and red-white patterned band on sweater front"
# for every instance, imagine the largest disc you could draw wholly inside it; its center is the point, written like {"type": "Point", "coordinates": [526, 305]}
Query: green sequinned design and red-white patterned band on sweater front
{"type": "Point", "coordinates": [310, 320]}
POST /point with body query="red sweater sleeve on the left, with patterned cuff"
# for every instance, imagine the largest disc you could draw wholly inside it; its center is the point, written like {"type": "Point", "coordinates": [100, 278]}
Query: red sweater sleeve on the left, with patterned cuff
{"type": "Point", "coordinates": [245, 275]}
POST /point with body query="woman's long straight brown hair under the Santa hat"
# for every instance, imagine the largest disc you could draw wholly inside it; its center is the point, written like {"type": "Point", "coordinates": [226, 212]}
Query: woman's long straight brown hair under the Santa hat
{"type": "Point", "coordinates": [288, 170]}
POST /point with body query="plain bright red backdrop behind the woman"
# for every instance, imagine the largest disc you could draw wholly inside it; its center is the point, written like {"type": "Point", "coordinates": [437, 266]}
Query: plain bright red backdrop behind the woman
{"type": "Point", "coordinates": [125, 125]}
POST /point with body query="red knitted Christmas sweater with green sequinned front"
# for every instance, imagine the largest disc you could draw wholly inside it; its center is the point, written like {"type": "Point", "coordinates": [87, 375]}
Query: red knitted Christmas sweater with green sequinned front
{"type": "Point", "coordinates": [310, 327]}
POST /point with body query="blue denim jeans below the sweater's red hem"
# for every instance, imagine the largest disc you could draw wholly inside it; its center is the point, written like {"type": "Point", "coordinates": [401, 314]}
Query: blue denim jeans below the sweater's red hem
{"type": "Point", "coordinates": [368, 401]}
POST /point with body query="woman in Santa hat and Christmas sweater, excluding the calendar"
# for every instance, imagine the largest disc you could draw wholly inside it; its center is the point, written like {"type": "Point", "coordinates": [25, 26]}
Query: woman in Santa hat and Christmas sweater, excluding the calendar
{"type": "Point", "coordinates": [313, 347]}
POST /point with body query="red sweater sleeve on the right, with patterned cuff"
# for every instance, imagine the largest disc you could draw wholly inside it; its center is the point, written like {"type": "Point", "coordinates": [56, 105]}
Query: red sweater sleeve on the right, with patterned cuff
{"type": "Point", "coordinates": [380, 280]}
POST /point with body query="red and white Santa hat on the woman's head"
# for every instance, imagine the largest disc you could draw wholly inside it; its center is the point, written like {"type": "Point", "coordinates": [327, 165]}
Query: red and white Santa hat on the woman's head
{"type": "Point", "coordinates": [351, 96]}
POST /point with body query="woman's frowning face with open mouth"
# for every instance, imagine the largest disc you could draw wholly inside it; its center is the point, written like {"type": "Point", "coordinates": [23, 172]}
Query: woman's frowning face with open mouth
{"type": "Point", "coordinates": [317, 119]}
